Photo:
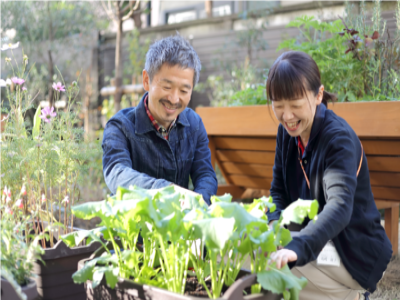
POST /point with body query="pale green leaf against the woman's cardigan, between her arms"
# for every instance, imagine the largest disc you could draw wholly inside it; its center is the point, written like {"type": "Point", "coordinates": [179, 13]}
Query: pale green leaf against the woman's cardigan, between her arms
{"type": "Point", "coordinates": [297, 211]}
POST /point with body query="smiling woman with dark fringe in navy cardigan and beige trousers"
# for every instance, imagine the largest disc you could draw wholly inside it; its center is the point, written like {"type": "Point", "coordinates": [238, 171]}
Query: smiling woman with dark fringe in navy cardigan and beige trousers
{"type": "Point", "coordinates": [319, 156]}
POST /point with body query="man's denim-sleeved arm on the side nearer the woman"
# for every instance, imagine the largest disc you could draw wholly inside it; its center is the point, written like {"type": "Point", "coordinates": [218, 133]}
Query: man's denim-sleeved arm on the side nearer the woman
{"type": "Point", "coordinates": [202, 173]}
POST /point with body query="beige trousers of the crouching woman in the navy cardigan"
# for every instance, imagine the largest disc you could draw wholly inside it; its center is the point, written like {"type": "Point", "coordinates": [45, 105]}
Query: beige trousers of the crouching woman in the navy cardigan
{"type": "Point", "coordinates": [327, 282]}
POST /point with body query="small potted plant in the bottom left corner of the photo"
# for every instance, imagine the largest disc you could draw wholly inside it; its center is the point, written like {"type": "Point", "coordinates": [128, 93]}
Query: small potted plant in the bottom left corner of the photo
{"type": "Point", "coordinates": [16, 261]}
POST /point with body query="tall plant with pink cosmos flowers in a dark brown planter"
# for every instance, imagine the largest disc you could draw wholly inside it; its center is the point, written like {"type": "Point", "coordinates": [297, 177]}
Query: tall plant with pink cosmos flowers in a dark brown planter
{"type": "Point", "coordinates": [41, 165]}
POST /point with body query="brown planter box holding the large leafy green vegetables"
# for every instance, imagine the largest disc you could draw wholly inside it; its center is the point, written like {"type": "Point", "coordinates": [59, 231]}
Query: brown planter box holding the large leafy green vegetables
{"type": "Point", "coordinates": [129, 290]}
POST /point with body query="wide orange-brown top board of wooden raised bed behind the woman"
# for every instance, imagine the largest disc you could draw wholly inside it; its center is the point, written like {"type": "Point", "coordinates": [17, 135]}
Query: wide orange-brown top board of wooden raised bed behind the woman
{"type": "Point", "coordinates": [368, 119]}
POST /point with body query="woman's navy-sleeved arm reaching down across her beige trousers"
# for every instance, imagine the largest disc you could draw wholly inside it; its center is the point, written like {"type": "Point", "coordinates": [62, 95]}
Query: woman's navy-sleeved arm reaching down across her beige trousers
{"type": "Point", "coordinates": [339, 183]}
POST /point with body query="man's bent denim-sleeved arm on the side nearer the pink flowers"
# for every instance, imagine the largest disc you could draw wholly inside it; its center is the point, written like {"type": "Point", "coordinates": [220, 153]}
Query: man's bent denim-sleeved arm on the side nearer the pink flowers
{"type": "Point", "coordinates": [117, 163]}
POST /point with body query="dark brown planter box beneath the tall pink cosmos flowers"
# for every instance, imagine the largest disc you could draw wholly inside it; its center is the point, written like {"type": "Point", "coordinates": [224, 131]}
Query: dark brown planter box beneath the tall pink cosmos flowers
{"type": "Point", "coordinates": [54, 278]}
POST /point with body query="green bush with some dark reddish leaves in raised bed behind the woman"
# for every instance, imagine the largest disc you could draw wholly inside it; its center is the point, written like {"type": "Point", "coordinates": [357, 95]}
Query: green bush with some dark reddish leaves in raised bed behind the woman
{"type": "Point", "coordinates": [356, 61]}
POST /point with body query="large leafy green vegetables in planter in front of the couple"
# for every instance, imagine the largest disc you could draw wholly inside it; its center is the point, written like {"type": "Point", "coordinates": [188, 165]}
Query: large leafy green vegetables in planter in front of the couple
{"type": "Point", "coordinates": [175, 227]}
